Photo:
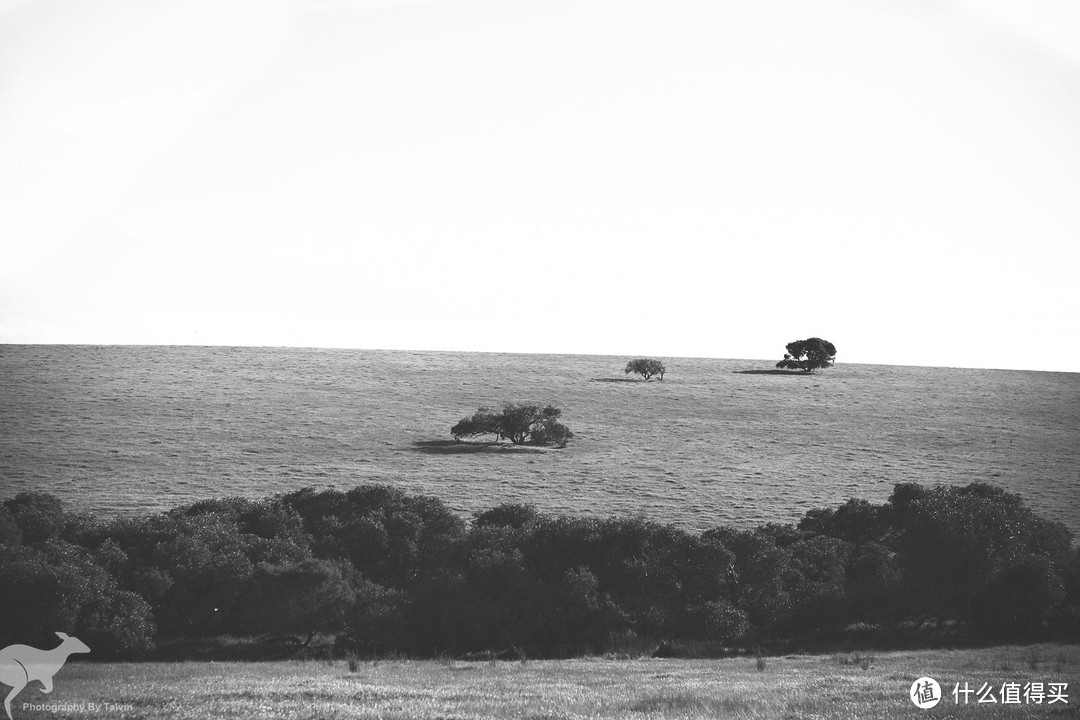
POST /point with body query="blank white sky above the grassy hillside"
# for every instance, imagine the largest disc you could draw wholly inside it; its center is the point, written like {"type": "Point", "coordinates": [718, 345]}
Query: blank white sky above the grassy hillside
{"type": "Point", "coordinates": [677, 179]}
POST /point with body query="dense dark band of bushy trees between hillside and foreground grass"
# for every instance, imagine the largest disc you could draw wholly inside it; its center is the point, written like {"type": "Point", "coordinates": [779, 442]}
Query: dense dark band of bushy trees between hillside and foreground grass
{"type": "Point", "coordinates": [382, 572]}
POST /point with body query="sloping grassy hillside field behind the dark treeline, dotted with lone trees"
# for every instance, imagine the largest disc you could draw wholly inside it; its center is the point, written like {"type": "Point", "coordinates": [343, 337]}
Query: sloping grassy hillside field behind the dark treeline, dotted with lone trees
{"type": "Point", "coordinates": [120, 429]}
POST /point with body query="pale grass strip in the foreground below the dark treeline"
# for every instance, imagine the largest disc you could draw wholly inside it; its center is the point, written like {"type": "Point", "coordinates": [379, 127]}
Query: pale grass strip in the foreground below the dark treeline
{"type": "Point", "coordinates": [874, 686]}
